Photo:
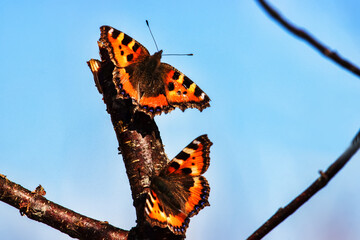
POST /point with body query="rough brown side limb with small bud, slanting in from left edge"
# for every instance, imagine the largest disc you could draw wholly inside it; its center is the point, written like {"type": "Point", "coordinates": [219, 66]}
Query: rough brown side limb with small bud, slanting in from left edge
{"type": "Point", "coordinates": [37, 207]}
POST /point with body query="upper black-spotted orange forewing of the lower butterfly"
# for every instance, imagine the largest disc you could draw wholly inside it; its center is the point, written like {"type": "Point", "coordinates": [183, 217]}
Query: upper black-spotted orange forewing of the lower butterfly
{"type": "Point", "coordinates": [193, 160]}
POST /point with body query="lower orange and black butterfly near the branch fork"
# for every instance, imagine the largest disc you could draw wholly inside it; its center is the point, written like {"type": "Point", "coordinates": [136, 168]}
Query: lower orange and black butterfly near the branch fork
{"type": "Point", "coordinates": [180, 191]}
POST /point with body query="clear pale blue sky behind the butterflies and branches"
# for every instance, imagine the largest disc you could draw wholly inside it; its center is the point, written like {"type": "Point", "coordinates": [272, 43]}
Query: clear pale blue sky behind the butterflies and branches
{"type": "Point", "coordinates": [279, 111]}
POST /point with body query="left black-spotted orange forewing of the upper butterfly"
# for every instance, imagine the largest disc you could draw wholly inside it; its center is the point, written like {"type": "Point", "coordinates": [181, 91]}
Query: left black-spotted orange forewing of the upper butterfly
{"type": "Point", "coordinates": [123, 49]}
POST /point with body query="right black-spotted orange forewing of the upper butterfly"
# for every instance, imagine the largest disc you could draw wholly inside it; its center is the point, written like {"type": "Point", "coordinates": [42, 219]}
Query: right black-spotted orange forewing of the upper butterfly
{"type": "Point", "coordinates": [181, 91]}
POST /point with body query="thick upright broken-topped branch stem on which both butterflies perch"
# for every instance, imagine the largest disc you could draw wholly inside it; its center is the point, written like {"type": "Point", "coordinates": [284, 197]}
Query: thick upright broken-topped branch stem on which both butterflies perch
{"type": "Point", "coordinates": [139, 142]}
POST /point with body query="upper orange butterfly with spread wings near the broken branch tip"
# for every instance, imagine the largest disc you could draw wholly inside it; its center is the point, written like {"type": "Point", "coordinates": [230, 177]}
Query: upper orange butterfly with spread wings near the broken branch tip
{"type": "Point", "coordinates": [153, 86]}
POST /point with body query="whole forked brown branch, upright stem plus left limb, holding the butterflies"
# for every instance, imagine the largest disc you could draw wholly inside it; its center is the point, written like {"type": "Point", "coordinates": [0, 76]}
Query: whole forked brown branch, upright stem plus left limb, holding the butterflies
{"type": "Point", "coordinates": [143, 155]}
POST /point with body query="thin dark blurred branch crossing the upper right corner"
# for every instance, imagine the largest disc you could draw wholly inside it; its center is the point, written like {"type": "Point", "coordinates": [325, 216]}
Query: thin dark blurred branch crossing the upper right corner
{"type": "Point", "coordinates": [311, 40]}
